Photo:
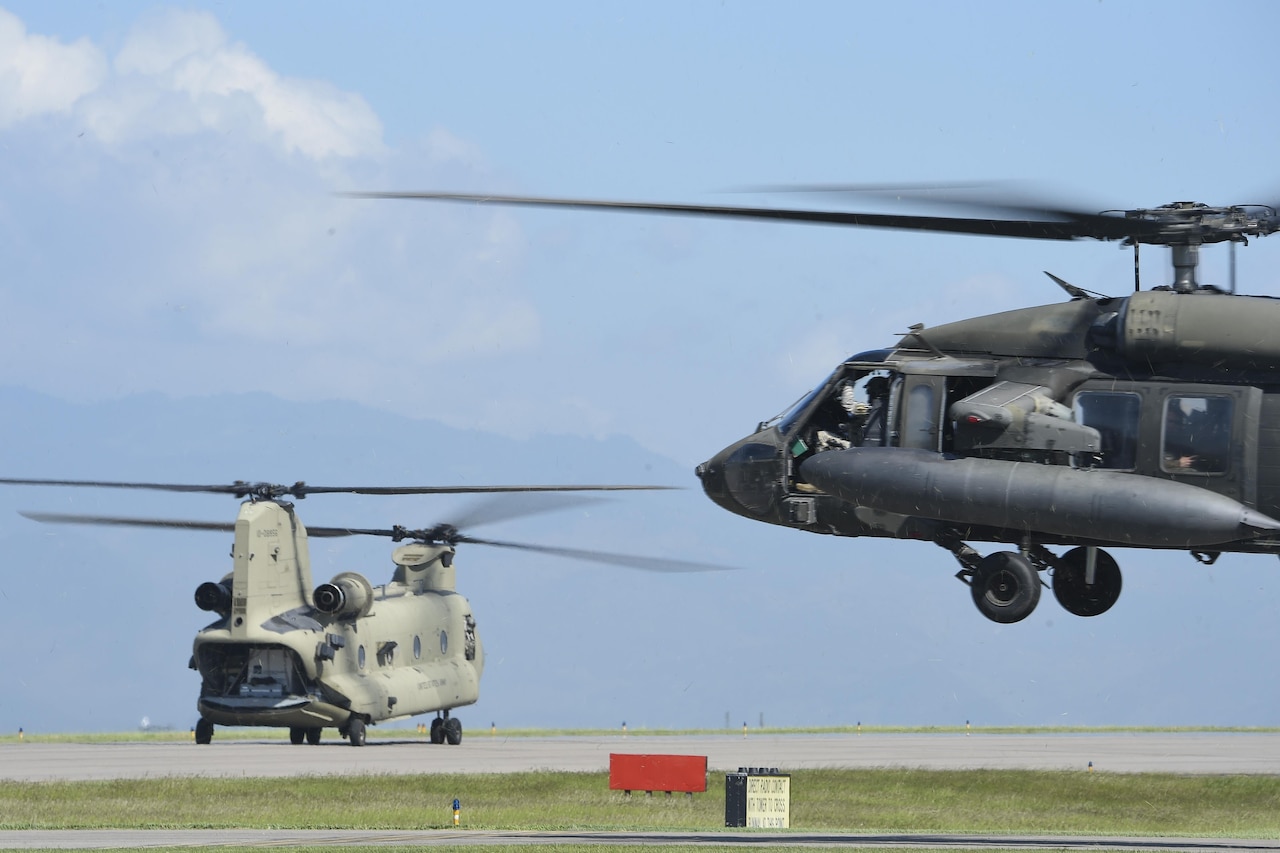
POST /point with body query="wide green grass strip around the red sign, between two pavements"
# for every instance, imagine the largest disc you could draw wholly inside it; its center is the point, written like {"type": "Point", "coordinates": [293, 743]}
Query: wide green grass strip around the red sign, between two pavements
{"type": "Point", "coordinates": [862, 801]}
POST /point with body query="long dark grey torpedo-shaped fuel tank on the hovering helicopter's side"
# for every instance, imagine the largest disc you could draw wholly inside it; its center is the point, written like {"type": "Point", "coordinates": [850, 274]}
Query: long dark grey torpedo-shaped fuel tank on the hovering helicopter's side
{"type": "Point", "coordinates": [1091, 505]}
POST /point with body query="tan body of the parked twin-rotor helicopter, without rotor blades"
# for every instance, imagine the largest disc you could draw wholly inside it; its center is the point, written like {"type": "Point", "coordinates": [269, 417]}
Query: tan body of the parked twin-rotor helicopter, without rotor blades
{"type": "Point", "coordinates": [284, 655]}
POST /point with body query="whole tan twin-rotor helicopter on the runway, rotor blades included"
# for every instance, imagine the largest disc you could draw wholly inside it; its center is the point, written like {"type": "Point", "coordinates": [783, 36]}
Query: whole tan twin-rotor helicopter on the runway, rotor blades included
{"type": "Point", "coordinates": [346, 654]}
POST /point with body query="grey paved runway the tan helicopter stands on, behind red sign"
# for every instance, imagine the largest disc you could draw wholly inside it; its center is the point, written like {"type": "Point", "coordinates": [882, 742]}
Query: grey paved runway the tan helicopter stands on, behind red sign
{"type": "Point", "coordinates": [484, 754]}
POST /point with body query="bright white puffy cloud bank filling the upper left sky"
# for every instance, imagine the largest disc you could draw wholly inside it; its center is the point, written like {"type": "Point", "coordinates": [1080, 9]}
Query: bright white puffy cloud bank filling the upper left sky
{"type": "Point", "coordinates": [179, 75]}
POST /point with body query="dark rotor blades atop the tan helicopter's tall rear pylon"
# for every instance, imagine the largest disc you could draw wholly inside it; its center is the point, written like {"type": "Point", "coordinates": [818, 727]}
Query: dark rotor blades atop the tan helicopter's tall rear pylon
{"type": "Point", "coordinates": [300, 490]}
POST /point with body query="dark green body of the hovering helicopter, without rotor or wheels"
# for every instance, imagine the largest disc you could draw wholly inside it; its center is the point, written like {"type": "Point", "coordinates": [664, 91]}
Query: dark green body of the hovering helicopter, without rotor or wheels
{"type": "Point", "coordinates": [1151, 421]}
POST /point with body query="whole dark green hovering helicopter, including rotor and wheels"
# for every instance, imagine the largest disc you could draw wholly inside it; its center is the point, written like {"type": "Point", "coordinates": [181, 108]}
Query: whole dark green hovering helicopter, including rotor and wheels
{"type": "Point", "coordinates": [1149, 421]}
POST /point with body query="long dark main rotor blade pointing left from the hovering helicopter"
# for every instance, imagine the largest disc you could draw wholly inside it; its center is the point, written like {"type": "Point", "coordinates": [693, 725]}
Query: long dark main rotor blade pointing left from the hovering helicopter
{"type": "Point", "coordinates": [1076, 227]}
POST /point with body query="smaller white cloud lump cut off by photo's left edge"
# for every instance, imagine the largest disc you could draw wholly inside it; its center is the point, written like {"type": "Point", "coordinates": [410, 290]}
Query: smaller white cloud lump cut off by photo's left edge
{"type": "Point", "coordinates": [40, 75]}
